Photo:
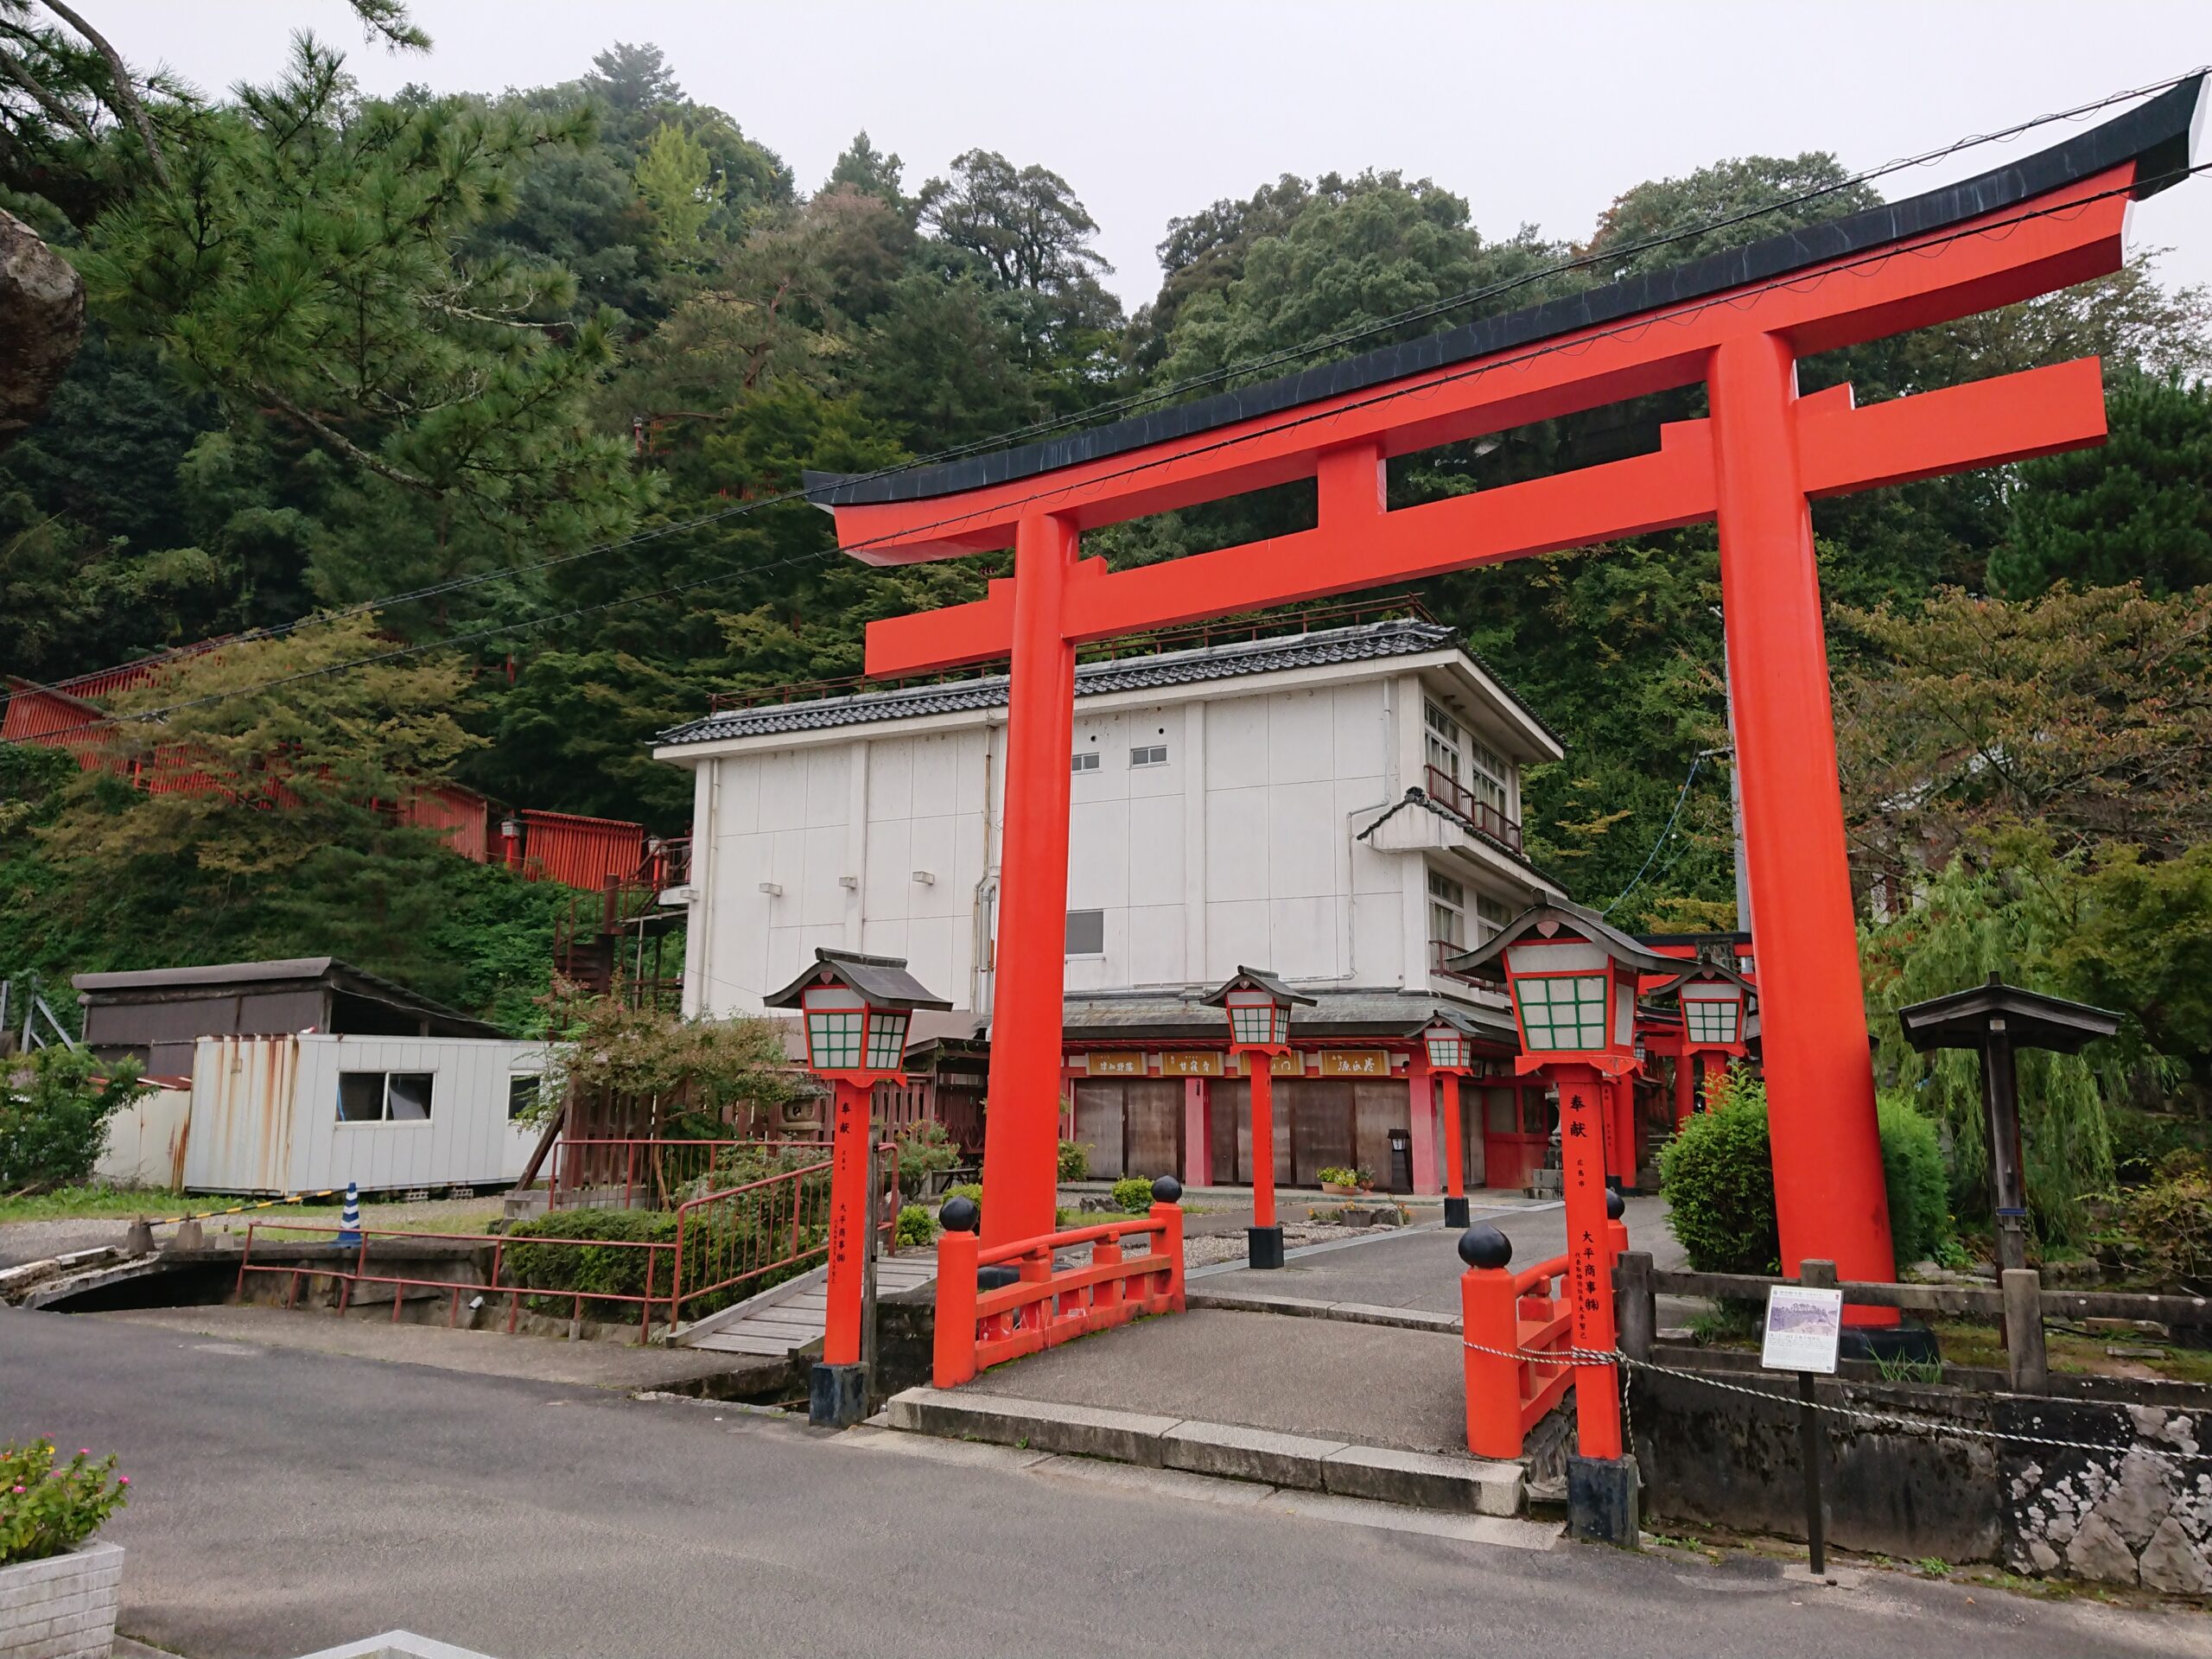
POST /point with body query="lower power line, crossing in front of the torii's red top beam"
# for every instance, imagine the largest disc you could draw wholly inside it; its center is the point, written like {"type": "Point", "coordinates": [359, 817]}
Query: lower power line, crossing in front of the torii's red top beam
{"type": "Point", "coordinates": [1572, 344]}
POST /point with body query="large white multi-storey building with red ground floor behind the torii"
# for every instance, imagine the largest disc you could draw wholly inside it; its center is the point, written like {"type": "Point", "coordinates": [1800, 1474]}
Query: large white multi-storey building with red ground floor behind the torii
{"type": "Point", "coordinates": [1333, 806]}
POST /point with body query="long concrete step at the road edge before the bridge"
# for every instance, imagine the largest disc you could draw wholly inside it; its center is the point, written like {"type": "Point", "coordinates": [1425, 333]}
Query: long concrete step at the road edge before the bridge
{"type": "Point", "coordinates": [1300, 1463]}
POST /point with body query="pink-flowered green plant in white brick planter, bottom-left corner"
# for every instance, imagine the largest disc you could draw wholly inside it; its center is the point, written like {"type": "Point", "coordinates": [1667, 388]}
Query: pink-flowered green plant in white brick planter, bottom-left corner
{"type": "Point", "coordinates": [59, 1592]}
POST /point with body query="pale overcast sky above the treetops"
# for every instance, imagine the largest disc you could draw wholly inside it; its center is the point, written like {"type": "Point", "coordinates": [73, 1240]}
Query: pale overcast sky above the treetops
{"type": "Point", "coordinates": [1536, 114]}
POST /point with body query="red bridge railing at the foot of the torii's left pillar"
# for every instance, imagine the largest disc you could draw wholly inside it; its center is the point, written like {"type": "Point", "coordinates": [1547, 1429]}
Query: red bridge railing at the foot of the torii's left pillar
{"type": "Point", "coordinates": [1050, 1306]}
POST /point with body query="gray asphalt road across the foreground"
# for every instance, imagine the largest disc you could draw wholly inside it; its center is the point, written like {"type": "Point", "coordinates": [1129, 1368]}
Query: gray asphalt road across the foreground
{"type": "Point", "coordinates": [291, 1501]}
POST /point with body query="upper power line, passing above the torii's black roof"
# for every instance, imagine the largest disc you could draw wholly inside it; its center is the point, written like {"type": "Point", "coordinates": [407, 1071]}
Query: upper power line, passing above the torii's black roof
{"type": "Point", "coordinates": [1193, 384]}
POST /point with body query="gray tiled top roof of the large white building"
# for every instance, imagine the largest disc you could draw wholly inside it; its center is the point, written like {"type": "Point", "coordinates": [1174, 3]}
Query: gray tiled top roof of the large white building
{"type": "Point", "coordinates": [1364, 643]}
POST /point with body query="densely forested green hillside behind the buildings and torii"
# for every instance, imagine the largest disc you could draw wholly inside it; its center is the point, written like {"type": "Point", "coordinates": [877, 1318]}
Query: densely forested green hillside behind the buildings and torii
{"type": "Point", "coordinates": [512, 390]}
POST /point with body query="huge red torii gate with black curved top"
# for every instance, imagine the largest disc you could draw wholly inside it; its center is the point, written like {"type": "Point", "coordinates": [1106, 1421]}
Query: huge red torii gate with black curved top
{"type": "Point", "coordinates": [1735, 322]}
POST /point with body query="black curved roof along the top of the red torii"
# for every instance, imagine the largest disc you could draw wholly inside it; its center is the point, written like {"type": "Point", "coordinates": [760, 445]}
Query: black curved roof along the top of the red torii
{"type": "Point", "coordinates": [2156, 134]}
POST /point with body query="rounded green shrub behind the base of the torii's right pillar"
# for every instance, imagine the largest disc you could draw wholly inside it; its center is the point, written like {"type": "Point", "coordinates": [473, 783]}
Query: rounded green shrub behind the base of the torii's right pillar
{"type": "Point", "coordinates": [1720, 1185]}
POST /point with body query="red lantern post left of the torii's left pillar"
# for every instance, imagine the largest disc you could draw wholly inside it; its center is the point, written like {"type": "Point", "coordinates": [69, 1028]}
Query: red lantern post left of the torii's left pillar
{"type": "Point", "coordinates": [857, 1012]}
